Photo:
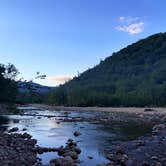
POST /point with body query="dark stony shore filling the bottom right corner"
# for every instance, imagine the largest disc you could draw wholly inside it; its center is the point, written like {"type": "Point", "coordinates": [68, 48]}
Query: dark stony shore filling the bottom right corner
{"type": "Point", "coordinates": [145, 151]}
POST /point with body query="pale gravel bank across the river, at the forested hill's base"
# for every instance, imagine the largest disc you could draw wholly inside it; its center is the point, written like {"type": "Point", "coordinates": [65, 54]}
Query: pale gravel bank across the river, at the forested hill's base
{"type": "Point", "coordinates": [111, 115]}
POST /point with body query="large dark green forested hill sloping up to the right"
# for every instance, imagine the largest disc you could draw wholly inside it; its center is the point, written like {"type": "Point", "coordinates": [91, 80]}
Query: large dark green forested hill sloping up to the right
{"type": "Point", "coordinates": [134, 76]}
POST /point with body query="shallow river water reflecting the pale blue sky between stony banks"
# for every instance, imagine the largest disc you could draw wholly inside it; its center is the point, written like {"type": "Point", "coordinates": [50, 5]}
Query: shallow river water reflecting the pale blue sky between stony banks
{"type": "Point", "coordinates": [95, 138]}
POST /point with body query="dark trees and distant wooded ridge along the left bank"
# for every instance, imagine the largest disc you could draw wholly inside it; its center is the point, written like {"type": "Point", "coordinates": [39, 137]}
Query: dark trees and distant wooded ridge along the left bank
{"type": "Point", "coordinates": [21, 92]}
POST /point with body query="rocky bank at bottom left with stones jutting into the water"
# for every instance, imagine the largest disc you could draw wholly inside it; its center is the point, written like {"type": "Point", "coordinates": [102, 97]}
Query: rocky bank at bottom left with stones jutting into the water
{"type": "Point", "coordinates": [21, 150]}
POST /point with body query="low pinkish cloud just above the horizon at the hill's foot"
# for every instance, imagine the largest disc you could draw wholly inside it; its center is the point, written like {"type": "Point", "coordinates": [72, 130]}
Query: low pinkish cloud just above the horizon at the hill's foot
{"type": "Point", "coordinates": [60, 79]}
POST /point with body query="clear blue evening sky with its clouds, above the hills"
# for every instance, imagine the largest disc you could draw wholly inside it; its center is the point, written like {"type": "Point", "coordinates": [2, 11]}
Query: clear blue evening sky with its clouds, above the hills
{"type": "Point", "coordinates": [61, 38]}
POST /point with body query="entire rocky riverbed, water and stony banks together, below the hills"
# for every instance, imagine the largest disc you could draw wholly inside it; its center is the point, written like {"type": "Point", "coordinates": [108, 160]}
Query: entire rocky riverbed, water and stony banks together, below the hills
{"type": "Point", "coordinates": [17, 147]}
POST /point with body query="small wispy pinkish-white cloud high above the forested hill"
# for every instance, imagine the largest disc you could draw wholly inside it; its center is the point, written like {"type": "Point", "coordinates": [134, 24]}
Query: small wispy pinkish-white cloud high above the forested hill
{"type": "Point", "coordinates": [131, 25]}
